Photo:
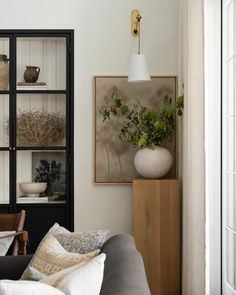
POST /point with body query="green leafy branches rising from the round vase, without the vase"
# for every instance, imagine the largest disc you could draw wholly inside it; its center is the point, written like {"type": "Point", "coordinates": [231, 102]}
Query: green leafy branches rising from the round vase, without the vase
{"type": "Point", "coordinates": [143, 127]}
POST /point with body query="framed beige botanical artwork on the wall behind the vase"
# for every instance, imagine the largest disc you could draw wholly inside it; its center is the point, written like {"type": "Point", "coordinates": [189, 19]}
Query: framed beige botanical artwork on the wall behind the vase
{"type": "Point", "coordinates": [114, 159]}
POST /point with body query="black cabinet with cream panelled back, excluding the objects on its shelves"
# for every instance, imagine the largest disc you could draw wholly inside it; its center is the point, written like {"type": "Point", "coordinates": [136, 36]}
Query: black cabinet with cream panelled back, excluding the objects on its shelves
{"type": "Point", "coordinates": [39, 46]}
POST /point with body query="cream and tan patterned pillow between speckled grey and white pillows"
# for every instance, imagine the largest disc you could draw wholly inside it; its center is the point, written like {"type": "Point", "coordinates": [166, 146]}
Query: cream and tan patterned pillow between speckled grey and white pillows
{"type": "Point", "coordinates": [51, 257]}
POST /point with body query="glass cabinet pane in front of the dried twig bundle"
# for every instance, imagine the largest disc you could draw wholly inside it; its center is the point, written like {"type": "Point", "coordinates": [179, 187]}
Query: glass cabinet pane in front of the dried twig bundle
{"type": "Point", "coordinates": [40, 120]}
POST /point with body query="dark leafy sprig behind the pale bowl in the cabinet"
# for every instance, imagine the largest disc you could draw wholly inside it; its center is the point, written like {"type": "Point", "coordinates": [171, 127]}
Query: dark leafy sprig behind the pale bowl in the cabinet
{"type": "Point", "coordinates": [49, 173]}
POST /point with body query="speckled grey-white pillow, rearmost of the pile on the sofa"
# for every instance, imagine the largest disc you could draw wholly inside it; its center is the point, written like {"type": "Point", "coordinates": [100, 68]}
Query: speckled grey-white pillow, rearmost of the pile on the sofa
{"type": "Point", "coordinates": [79, 242]}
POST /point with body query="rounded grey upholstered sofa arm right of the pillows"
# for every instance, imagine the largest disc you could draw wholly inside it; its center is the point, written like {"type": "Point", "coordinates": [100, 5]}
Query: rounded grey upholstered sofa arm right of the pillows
{"type": "Point", "coordinates": [124, 270]}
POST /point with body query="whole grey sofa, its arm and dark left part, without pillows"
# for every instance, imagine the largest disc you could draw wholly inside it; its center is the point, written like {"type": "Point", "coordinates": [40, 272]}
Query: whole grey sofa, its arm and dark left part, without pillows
{"type": "Point", "coordinates": [123, 274]}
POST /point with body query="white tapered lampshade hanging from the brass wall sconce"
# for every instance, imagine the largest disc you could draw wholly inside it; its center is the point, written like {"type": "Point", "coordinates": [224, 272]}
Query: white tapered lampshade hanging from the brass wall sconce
{"type": "Point", "coordinates": [138, 70]}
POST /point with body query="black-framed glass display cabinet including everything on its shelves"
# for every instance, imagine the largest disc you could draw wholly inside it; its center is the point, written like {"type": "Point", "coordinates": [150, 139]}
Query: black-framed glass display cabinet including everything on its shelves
{"type": "Point", "coordinates": [36, 127]}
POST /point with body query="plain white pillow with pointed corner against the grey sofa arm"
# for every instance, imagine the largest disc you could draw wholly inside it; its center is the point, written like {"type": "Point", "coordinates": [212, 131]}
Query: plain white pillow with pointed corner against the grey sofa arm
{"type": "Point", "coordinates": [85, 279]}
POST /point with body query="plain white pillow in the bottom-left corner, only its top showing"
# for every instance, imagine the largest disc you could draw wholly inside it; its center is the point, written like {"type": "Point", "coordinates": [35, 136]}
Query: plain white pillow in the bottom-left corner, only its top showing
{"type": "Point", "coordinates": [8, 287]}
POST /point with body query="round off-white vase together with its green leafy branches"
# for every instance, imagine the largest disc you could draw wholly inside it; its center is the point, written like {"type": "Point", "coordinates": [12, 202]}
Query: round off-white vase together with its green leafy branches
{"type": "Point", "coordinates": [147, 129]}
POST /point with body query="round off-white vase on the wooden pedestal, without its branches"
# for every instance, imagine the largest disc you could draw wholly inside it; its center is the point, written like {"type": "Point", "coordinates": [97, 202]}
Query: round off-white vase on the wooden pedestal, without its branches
{"type": "Point", "coordinates": [153, 163]}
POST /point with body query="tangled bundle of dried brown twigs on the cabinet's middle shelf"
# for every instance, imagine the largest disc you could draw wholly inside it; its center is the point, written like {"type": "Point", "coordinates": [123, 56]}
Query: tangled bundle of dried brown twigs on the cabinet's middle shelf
{"type": "Point", "coordinates": [39, 128]}
